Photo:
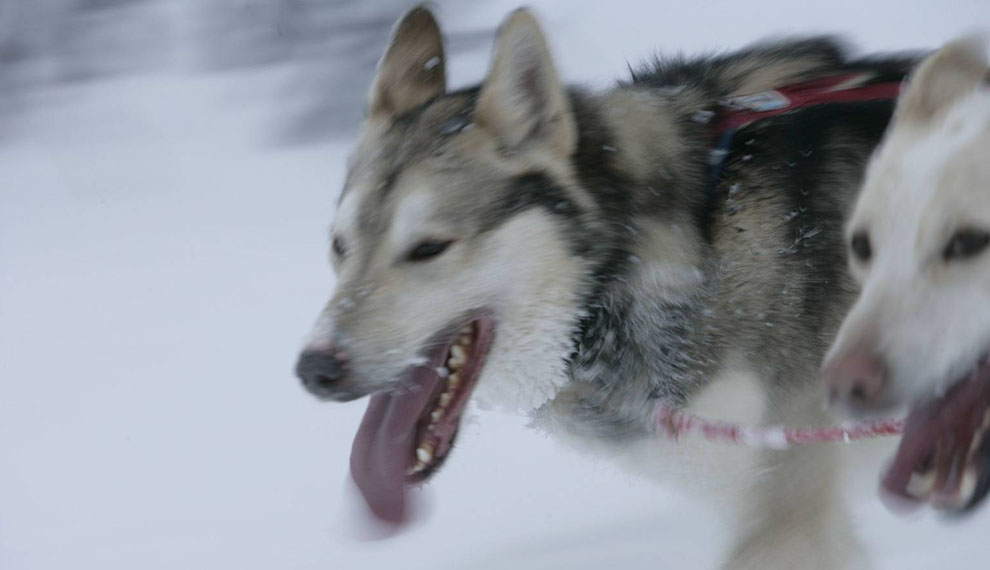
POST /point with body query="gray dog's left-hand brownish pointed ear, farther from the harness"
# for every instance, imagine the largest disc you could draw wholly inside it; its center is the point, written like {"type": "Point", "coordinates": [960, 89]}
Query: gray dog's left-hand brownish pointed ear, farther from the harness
{"type": "Point", "coordinates": [413, 69]}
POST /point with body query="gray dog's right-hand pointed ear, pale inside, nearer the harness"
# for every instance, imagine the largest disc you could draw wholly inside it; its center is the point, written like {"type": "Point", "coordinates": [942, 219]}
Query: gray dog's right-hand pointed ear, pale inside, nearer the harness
{"type": "Point", "coordinates": [522, 100]}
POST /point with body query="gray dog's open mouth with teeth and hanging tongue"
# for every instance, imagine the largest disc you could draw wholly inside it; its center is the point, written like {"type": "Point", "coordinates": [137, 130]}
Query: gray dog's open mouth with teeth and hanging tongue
{"type": "Point", "coordinates": [407, 434]}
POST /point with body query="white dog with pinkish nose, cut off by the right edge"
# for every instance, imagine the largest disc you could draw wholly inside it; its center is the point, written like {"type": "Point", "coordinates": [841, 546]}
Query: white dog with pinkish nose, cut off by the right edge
{"type": "Point", "coordinates": [920, 245]}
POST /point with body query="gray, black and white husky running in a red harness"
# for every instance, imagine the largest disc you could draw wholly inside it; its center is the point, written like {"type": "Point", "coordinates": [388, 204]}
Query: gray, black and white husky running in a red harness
{"type": "Point", "coordinates": [571, 256]}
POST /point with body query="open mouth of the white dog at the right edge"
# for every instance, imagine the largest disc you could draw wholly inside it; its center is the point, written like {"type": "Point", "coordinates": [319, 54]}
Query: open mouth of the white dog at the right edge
{"type": "Point", "coordinates": [944, 456]}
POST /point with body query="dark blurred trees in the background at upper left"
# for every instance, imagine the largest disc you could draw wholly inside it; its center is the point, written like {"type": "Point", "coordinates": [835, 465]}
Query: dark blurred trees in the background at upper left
{"type": "Point", "coordinates": [331, 45]}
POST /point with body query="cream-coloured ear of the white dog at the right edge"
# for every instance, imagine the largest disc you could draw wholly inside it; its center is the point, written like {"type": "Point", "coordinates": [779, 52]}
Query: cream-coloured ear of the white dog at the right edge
{"type": "Point", "coordinates": [944, 77]}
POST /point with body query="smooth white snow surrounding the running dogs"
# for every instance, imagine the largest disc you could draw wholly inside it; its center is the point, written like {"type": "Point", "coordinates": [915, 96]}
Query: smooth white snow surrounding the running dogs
{"type": "Point", "coordinates": [159, 264]}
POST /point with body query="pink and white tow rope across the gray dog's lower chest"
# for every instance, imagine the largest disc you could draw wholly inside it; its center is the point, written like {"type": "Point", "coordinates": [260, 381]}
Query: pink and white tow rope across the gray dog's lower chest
{"type": "Point", "coordinates": [676, 423]}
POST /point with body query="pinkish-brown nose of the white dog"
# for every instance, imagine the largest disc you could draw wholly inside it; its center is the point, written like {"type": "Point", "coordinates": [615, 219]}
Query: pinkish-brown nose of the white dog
{"type": "Point", "coordinates": [856, 379]}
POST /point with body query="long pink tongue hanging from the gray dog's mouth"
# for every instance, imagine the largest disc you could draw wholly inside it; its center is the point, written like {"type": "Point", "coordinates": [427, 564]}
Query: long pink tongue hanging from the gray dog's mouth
{"type": "Point", "coordinates": [384, 446]}
